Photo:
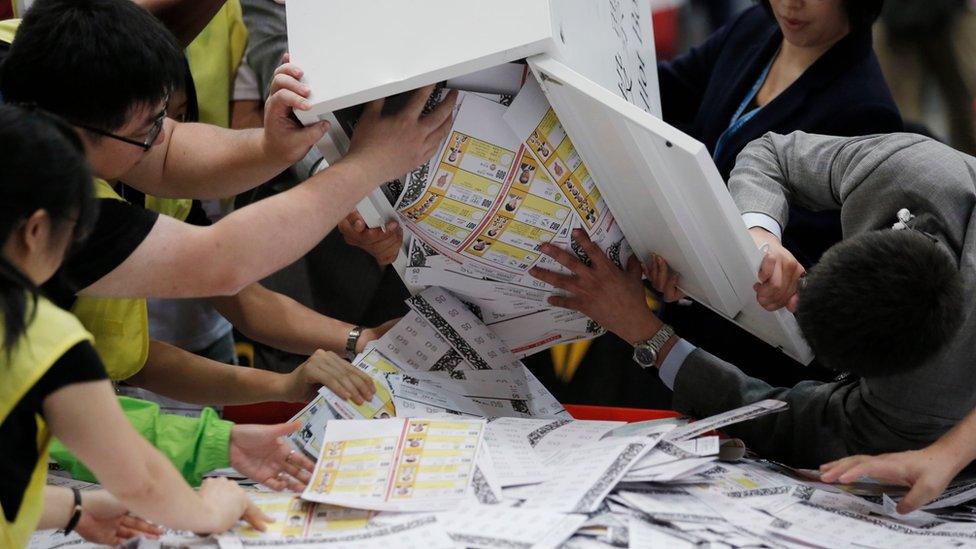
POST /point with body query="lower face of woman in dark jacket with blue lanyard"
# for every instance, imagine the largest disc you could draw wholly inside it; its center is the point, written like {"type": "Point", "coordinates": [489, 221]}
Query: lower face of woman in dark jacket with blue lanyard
{"type": "Point", "coordinates": [811, 23]}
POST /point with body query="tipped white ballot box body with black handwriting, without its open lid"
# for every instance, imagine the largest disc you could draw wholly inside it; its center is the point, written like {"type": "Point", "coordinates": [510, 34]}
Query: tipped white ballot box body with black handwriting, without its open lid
{"type": "Point", "coordinates": [354, 52]}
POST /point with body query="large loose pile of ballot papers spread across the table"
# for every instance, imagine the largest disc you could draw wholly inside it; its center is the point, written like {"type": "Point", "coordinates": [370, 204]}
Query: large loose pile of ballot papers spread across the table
{"type": "Point", "coordinates": [500, 482]}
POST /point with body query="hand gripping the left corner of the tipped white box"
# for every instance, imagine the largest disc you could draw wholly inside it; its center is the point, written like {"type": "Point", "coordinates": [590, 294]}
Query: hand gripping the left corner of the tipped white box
{"type": "Point", "coordinates": [285, 139]}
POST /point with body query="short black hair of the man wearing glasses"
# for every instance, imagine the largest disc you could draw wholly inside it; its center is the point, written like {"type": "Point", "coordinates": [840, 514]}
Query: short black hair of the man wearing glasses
{"type": "Point", "coordinates": [91, 61]}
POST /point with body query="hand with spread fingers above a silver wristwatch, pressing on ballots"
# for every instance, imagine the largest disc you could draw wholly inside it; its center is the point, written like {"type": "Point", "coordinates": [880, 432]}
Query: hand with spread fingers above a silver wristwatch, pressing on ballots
{"type": "Point", "coordinates": [610, 296]}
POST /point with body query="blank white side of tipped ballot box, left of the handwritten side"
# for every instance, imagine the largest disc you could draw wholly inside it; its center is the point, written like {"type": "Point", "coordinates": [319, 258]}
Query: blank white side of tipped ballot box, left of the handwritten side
{"type": "Point", "coordinates": [354, 52]}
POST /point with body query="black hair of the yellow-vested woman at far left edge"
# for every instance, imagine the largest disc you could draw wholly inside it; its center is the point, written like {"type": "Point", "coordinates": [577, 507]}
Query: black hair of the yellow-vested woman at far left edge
{"type": "Point", "coordinates": [44, 168]}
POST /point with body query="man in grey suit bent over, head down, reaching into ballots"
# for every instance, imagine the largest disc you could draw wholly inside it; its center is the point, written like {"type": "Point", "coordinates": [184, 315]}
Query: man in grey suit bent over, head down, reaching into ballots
{"type": "Point", "coordinates": [890, 306]}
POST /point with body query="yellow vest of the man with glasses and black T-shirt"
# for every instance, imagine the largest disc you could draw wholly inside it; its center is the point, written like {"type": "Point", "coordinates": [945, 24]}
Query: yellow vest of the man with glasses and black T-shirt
{"type": "Point", "coordinates": [120, 326]}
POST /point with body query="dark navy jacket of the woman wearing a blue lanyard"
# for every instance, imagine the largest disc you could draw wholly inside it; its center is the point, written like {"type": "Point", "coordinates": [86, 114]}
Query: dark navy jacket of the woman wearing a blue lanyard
{"type": "Point", "coordinates": [843, 93]}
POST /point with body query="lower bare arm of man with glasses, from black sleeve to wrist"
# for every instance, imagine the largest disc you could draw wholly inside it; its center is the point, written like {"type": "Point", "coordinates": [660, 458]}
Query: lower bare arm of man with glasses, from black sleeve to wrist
{"type": "Point", "coordinates": [242, 248]}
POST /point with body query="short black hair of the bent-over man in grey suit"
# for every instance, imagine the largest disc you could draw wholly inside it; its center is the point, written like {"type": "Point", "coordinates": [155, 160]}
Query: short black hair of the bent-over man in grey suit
{"type": "Point", "coordinates": [881, 302]}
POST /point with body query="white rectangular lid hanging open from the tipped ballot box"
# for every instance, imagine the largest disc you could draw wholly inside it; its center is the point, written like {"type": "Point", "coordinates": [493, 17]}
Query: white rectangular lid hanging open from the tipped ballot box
{"type": "Point", "coordinates": [668, 198]}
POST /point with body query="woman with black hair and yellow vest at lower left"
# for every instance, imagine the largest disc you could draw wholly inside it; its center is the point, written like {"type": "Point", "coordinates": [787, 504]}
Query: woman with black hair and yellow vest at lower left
{"type": "Point", "coordinates": [55, 384]}
